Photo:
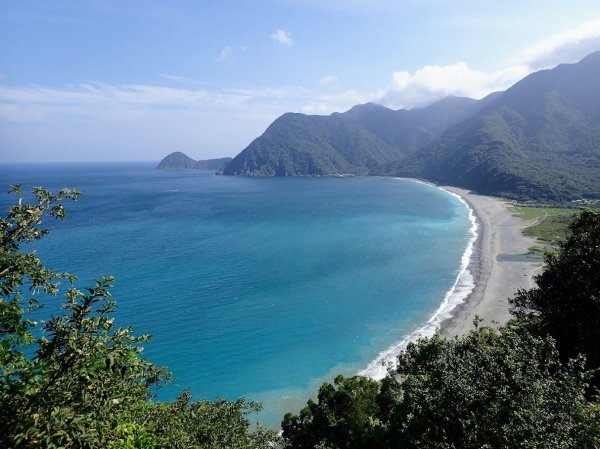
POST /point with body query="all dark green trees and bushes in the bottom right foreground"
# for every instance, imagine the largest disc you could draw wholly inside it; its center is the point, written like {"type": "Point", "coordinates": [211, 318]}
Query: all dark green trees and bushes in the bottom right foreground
{"type": "Point", "coordinates": [530, 384]}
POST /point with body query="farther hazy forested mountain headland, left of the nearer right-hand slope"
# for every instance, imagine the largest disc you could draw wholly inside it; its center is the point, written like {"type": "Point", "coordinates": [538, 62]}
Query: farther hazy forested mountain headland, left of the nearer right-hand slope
{"type": "Point", "coordinates": [358, 141]}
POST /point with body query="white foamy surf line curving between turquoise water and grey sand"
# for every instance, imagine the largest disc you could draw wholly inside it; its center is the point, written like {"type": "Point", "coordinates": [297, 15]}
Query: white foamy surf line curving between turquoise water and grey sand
{"type": "Point", "coordinates": [458, 293]}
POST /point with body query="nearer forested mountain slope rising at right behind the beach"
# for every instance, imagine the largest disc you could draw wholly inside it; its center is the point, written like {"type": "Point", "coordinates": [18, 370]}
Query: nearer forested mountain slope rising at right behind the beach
{"type": "Point", "coordinates": [538, 140]}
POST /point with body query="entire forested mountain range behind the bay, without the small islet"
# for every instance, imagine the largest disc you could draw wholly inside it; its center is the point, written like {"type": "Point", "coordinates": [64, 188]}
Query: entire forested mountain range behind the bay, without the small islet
{"type": "Point", "coordinates": [538, 140]}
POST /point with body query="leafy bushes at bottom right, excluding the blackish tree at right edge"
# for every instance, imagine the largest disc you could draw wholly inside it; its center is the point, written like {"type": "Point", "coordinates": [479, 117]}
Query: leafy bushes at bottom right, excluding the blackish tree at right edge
{"type": "Point", "coordinates": [488, 389]}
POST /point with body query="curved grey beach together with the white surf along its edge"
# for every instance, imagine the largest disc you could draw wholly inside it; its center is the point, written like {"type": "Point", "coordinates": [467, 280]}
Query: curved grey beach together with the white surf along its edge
{"type": "Point", "coordinates": [484, 282]}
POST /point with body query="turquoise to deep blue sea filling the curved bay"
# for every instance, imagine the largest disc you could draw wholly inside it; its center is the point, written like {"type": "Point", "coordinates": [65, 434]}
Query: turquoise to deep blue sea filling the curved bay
{"type": "Point", "coordinates": [255, 287]}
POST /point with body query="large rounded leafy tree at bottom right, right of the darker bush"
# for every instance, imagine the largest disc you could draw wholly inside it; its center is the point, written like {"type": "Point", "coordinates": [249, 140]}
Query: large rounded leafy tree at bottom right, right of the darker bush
{"type": "Point", "coordinates": [489, 389]}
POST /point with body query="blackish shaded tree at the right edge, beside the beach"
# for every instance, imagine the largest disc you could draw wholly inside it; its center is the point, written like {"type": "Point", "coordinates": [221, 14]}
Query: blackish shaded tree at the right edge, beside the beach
{"type": "Point", "coordinates": [566, 301]}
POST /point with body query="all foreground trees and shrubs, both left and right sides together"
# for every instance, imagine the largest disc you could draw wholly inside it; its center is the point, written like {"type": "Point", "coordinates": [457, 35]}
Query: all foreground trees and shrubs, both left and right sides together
{"type": "Point", "coordinates": [79, 381]}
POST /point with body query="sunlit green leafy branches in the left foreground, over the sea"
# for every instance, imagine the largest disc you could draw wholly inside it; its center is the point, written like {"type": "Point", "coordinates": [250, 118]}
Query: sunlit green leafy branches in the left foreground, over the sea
{"type": "Point", "coordinates": [77, 380]}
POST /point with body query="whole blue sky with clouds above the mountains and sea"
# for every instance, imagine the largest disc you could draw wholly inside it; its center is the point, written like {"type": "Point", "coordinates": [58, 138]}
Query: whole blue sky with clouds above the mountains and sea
{"type": "Point", "coordinates": [129, 80]}
